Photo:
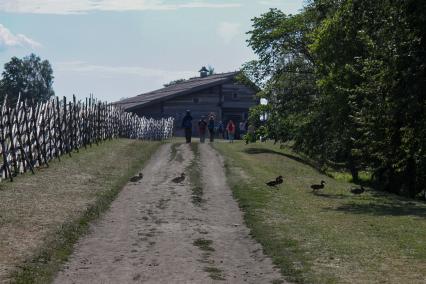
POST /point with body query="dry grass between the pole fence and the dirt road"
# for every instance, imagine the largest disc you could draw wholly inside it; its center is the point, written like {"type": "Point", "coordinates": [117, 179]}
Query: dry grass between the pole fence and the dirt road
{"type": "Point", "coordinates": [43, 215]}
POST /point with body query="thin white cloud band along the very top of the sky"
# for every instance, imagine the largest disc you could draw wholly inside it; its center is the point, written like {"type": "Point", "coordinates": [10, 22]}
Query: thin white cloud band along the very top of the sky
{"type": "Point", "coordinates": [84, 6]}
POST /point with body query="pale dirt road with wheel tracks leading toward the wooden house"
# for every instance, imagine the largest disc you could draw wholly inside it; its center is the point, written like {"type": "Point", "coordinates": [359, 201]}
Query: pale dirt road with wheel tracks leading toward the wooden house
{"type": "Point", "coordinates": [154, 232]}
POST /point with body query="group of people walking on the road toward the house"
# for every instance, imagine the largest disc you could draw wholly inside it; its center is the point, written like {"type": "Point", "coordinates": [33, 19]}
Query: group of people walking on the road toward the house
{"type": "Point", "coordinates": [210, 126]}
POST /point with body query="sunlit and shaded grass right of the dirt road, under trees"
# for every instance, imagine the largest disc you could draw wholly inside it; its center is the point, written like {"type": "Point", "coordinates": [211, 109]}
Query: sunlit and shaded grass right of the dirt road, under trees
{"type": "Point", "coordinates": [329, 237]}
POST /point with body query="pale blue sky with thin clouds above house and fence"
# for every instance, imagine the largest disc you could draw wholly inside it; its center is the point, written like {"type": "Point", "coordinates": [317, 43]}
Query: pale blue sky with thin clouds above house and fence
{"type": "Point", "coordinates": [121, 48]}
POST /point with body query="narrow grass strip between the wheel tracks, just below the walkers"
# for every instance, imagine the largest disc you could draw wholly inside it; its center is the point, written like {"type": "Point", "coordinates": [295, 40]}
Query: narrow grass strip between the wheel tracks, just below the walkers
{"type": "Point", "coordinates": [194, 170]}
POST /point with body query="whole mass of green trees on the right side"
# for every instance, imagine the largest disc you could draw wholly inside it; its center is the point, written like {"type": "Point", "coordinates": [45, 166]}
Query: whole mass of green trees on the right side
{"type": "Point", "coordinates": [346, 82]}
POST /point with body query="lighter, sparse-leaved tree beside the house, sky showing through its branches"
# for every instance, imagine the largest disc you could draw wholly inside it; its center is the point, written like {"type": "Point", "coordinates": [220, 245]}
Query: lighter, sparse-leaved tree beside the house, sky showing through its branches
{"type": "Point", "coordinates": [284, 70]}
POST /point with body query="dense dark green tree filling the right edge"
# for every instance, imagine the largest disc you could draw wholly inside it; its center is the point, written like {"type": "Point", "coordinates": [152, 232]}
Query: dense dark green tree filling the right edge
{"type": "Point", "coordinates": [370, 59]}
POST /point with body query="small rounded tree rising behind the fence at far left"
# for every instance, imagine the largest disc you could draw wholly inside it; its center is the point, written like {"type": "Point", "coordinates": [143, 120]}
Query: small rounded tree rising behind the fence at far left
{"type": "Point", "coordinates": [30, 76]}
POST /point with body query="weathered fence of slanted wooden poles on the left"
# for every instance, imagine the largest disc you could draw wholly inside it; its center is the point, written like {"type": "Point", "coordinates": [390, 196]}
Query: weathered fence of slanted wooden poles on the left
{"type": "Point", "coordinates": [33, 134]}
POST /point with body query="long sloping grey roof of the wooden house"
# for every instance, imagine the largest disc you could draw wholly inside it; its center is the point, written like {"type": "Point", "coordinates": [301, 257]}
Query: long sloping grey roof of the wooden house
{"type": "Point", "coordinates": [182, 88]}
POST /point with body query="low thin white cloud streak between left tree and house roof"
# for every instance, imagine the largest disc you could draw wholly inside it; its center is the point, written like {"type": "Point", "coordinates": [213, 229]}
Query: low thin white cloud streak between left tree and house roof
{"type": "Point", "coordinates": [111, 71]}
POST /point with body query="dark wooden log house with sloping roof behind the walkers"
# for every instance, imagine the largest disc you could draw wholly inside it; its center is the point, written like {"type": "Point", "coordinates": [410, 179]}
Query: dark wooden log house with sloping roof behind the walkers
{"type": "Point", "coordinates": [219, 94]}
